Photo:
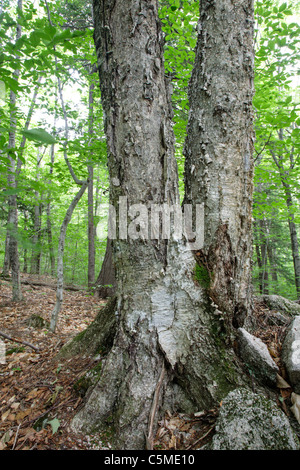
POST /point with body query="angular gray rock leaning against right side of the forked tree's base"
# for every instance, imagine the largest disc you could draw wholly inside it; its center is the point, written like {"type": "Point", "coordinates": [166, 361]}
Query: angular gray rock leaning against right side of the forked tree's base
{"type": "Point", "coordinates": [257, 358]}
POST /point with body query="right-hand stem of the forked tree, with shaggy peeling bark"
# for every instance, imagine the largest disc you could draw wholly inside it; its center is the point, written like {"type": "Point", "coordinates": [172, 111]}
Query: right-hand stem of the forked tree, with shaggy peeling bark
{"type": "Point", "coordinates": [219, 148]}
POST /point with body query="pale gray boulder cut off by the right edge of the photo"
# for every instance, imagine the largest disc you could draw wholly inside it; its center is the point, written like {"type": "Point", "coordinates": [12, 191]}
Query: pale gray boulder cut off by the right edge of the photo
{"type": "Point", "coordinates": [291, 353]}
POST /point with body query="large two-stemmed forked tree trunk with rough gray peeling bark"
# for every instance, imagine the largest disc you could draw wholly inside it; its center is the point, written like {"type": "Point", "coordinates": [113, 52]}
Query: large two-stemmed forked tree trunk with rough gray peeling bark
{"type": "Point", "coordinates": [171, 349]}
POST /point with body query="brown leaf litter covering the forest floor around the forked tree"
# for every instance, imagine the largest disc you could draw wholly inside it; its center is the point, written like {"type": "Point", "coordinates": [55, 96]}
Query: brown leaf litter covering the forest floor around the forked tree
{"type": "Point", "coordinates": [37, 395]}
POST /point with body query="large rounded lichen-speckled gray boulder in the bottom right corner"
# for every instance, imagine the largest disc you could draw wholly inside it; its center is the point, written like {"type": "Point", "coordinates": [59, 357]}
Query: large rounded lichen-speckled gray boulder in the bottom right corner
{"type": "Point", "coordinates": [248, 421]}
